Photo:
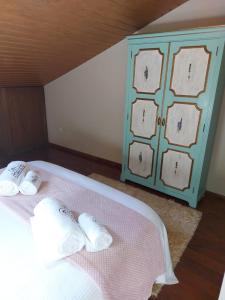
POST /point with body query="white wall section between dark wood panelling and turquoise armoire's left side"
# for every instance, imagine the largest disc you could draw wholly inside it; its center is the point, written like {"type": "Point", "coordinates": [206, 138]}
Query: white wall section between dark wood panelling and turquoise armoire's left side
{"type": "Point", "coordinates": [85, 106]}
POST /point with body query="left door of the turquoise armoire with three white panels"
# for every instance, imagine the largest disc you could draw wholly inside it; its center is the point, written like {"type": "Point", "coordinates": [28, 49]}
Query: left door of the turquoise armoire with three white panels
{"type": "Point", "coordinates": [146, 75]}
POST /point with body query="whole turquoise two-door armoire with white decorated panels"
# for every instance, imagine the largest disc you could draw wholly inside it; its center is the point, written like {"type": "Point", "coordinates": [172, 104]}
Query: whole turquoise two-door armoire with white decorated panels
{"type": "Point", "coordinates": [174, 89]}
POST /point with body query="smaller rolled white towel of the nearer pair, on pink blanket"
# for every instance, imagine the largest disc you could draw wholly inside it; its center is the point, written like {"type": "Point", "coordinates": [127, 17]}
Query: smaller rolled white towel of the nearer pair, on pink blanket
{"type": "Point", "coordinates": [98, 238]}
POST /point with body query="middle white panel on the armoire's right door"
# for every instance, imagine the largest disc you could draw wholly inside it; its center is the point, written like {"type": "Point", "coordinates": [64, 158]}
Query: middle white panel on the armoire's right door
{"type": "Point", "coordinates": [182, 124]}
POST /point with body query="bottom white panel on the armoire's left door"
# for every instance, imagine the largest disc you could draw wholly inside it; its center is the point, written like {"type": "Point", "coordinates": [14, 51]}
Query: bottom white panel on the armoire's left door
{"type": "Point", "coordinates": [140, 159]}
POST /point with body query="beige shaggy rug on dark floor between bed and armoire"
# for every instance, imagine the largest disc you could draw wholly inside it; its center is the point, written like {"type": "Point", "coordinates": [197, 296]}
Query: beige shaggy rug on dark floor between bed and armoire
{"type": "Point", "coordinates": [180, 221]}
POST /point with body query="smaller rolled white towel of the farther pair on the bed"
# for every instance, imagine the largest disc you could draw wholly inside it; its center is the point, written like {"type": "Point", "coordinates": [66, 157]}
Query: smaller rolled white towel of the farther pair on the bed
{"type": "Point", "coordinates": [30, 183]}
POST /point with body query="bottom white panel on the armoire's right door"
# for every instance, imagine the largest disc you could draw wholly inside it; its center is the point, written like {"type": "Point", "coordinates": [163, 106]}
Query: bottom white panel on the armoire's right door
{"type": "Point", "coordinates": [176, 169]}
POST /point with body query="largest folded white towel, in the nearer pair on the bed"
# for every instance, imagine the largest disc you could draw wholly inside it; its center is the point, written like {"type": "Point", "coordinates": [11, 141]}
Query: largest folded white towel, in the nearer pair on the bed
{"type": "Point", "coordinates": [55, 230]}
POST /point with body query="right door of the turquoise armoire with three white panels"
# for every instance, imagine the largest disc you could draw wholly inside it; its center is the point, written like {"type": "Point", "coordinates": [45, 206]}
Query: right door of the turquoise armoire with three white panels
{"type": "Point", "coordinates": [187, 103]}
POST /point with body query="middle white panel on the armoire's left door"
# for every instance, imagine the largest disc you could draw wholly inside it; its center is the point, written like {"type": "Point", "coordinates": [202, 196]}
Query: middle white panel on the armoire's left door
{"type": "Point", "coordinates": [143, 118]}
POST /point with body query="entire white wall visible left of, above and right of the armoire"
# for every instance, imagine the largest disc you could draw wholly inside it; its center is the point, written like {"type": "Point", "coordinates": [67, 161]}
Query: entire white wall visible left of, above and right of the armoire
{"type": "Point", "coordinates": [85, 106]}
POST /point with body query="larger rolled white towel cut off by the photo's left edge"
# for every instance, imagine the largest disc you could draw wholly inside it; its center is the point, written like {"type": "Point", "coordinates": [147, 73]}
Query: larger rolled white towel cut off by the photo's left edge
{"type": "Point", "coordinates": [11, 177]}
